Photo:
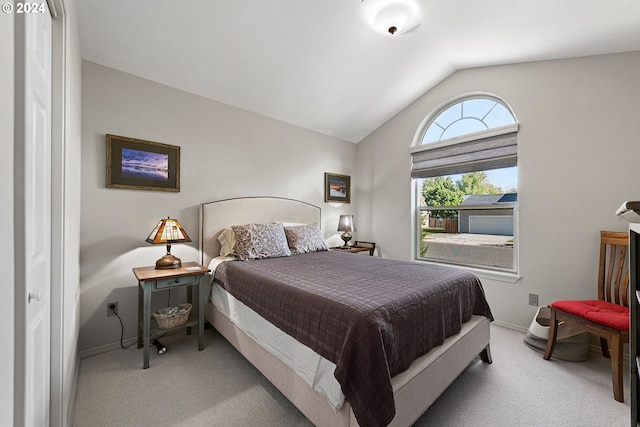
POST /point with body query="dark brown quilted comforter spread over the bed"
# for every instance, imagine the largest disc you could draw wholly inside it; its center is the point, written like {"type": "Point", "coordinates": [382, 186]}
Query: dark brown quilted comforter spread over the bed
{"type": "Point", "coordinates": [370, 316]}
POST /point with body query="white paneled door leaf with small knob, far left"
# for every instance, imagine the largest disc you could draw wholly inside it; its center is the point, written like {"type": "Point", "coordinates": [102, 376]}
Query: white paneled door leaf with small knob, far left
{"type": "Point", "coordinates": [37, 217]}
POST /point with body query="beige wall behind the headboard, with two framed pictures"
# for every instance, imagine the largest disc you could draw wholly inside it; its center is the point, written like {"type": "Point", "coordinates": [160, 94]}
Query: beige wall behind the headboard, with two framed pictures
{"type": "Point", "coordinates": [225, 152]}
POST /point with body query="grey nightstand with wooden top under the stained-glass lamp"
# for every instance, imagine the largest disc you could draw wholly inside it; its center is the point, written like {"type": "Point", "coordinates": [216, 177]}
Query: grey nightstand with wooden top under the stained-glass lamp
{"type": "Point", "coordinates": [151, 280]}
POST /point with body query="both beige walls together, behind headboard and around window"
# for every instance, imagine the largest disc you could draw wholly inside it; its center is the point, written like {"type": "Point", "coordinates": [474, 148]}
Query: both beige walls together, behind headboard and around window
{"type": "Point", "coordinates": [577, 148]}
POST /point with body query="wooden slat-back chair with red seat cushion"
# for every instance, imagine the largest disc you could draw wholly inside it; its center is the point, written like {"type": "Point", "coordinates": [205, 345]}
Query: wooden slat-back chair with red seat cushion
{"type": "Point", "coordinates": [608, 316]}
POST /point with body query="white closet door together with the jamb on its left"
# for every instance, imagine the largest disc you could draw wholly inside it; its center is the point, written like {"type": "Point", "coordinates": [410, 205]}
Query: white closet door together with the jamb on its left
{"type": "Point", "coordinates": [33, 215]}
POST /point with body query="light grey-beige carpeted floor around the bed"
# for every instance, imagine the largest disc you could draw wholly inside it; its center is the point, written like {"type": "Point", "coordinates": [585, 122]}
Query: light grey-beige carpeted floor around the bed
{"type": "Point", "coordinates": [218, 387]}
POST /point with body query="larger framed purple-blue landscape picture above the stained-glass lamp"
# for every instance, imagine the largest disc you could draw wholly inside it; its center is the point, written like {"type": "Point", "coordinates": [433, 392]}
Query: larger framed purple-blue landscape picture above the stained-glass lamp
{"type": "Point", "coordinates": [142, 165]}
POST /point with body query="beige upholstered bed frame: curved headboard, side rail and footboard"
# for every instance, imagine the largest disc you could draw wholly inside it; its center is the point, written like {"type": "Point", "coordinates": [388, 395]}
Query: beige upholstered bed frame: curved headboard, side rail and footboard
{"type": "Point", "coordinates": [414, 390]}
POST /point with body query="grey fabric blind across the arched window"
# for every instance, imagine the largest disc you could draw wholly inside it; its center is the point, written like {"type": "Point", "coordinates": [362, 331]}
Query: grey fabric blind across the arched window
{"type": "Point", "coordinates": [492, 152]}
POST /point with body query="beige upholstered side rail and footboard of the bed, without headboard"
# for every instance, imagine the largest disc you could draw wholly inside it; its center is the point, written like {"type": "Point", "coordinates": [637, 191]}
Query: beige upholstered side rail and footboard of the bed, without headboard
{"type": "Point", "coordinates": [414, 389]}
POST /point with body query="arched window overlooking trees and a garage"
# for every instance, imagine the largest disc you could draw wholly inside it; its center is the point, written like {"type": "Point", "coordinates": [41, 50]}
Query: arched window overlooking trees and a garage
{"type": "Point", "coordinates": [464, 166]}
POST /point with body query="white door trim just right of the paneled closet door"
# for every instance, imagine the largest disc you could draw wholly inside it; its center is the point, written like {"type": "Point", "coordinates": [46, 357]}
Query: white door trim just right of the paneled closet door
{"type": "Point", "coordinates": [64, 216]}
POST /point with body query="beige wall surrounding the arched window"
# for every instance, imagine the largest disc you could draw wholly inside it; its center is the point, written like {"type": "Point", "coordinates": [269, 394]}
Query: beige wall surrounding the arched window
{"type": "Point", "coordinates": [578, 158]}
